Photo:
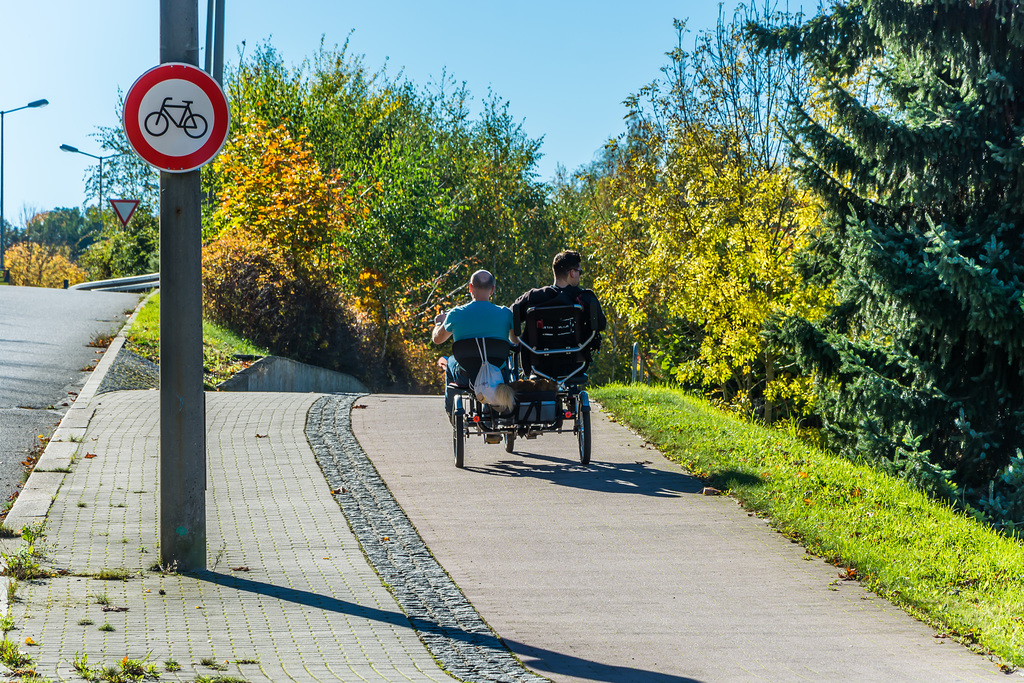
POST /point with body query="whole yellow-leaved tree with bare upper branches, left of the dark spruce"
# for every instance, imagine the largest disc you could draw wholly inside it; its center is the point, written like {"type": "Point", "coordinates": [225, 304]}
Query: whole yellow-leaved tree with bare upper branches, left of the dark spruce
{"type": "Point", "coordinates": [707, 220]}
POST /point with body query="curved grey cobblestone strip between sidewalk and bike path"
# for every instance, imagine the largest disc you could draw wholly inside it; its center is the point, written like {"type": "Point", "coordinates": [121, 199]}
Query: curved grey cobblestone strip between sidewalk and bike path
{"type": "Point", "coordinates": [446, 621]}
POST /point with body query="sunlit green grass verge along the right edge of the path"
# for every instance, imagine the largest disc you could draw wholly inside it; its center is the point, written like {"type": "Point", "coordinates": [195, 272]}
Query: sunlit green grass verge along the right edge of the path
{"type": "Point", "coordinates": [941, 566]}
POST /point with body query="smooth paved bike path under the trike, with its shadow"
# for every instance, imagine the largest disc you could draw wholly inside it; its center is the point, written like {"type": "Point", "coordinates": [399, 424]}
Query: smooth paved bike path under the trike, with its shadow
{"type": "Point", "coordinates": [623, 572]}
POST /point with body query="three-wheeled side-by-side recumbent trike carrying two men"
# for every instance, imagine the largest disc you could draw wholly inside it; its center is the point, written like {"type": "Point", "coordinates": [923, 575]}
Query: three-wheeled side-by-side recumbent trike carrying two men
{"type": "Point", "coordinates": [549, 373]}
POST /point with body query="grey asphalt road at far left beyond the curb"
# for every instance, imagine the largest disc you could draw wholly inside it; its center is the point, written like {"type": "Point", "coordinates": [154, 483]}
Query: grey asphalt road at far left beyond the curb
{"type": "Point", "coordinates": [44, 351]}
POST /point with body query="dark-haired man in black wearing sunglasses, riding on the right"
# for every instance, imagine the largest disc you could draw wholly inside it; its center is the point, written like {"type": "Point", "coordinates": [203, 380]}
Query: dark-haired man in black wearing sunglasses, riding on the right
{"type": "Point", "coordinates": [568, 269]}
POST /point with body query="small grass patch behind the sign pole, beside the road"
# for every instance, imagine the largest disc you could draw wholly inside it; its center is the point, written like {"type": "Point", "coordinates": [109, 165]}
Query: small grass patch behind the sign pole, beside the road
{"type": "Point", "coordinates": [220, 346]}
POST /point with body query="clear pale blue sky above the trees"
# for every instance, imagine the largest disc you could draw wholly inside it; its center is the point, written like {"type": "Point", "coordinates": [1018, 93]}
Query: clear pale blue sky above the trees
{"type": "Point", "coordinates": [564, 66]}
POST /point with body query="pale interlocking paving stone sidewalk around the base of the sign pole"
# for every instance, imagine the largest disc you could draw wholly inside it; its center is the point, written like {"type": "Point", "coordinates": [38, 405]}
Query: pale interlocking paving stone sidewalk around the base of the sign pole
{"type": "Point", "coordinates": [311, 609]}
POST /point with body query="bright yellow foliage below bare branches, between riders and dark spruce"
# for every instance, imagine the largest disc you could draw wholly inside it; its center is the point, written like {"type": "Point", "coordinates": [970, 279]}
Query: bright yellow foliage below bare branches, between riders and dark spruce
{"type": "Point", "coordinates": [705, 242]}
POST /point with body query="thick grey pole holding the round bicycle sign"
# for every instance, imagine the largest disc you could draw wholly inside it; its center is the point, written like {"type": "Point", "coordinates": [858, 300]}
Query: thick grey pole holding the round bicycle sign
{"type": "Point", "coordinates": [183, 404]}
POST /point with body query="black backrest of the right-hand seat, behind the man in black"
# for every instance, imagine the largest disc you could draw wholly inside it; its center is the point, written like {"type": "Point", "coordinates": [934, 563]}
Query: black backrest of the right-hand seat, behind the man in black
{"type": "Point", "coordinates": [549, 328]}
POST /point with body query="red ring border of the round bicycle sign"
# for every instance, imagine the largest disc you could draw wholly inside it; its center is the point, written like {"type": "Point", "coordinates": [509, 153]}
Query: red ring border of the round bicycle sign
{"type": "Point", "coordinates": [217, 137]}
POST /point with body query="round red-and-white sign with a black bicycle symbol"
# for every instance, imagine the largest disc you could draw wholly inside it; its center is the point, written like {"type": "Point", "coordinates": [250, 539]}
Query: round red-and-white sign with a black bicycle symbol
{"type": "Point", "coordinates": [177, 117]}
